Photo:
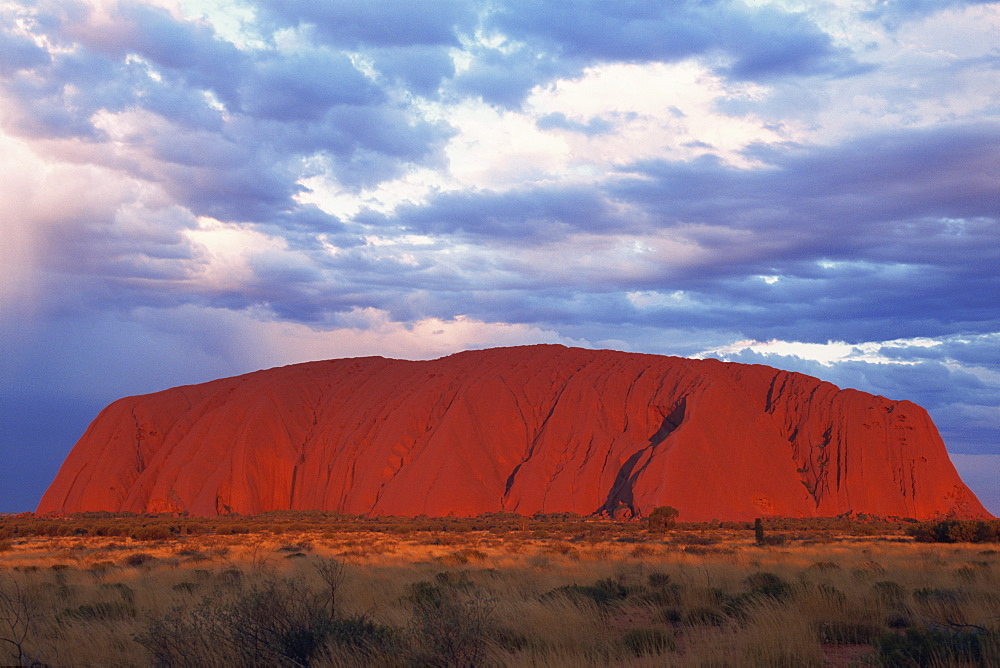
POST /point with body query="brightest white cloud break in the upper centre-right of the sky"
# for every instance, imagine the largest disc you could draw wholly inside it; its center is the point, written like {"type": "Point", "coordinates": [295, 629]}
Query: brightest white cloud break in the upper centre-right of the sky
{"type": "Point", "coordinates": [654, 110]}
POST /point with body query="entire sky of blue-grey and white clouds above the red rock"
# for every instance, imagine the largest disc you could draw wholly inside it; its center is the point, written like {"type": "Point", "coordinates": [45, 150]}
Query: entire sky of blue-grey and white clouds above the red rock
{"type": "Point", "coordinates": [192, 189]}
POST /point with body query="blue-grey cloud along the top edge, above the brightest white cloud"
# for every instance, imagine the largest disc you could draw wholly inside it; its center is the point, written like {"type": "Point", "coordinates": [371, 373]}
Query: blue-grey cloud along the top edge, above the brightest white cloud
{"type": "Point", "coordinates": [560, 40]}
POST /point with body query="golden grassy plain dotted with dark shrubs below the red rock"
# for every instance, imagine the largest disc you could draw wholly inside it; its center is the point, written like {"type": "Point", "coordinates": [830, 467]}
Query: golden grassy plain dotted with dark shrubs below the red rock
{"type": "Point", "coordinates": [322, 589]}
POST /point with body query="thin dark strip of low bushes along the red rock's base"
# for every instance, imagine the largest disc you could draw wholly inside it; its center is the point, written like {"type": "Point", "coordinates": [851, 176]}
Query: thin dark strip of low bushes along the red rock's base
{"type": "Point", "coordinates": [168, 525]}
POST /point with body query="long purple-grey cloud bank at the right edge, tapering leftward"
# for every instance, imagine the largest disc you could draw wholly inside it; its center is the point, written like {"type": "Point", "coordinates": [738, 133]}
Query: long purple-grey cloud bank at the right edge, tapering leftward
{"type": "Point", "coordinates": [910, 175]}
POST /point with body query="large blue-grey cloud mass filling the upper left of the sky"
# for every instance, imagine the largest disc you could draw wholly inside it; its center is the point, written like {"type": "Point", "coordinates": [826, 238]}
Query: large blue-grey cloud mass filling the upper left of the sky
{"type": "Point", "coordinates": [241, 162]}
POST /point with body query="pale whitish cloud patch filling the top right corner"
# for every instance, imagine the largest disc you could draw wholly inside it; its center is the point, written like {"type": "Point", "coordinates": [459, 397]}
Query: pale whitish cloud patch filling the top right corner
{"type": "Point", "coordinates": [920, 79]}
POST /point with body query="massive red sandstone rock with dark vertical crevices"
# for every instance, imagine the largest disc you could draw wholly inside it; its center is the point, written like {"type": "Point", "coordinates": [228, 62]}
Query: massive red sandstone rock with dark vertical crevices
{"type": "Point", "coordinates": [527, 429]}
